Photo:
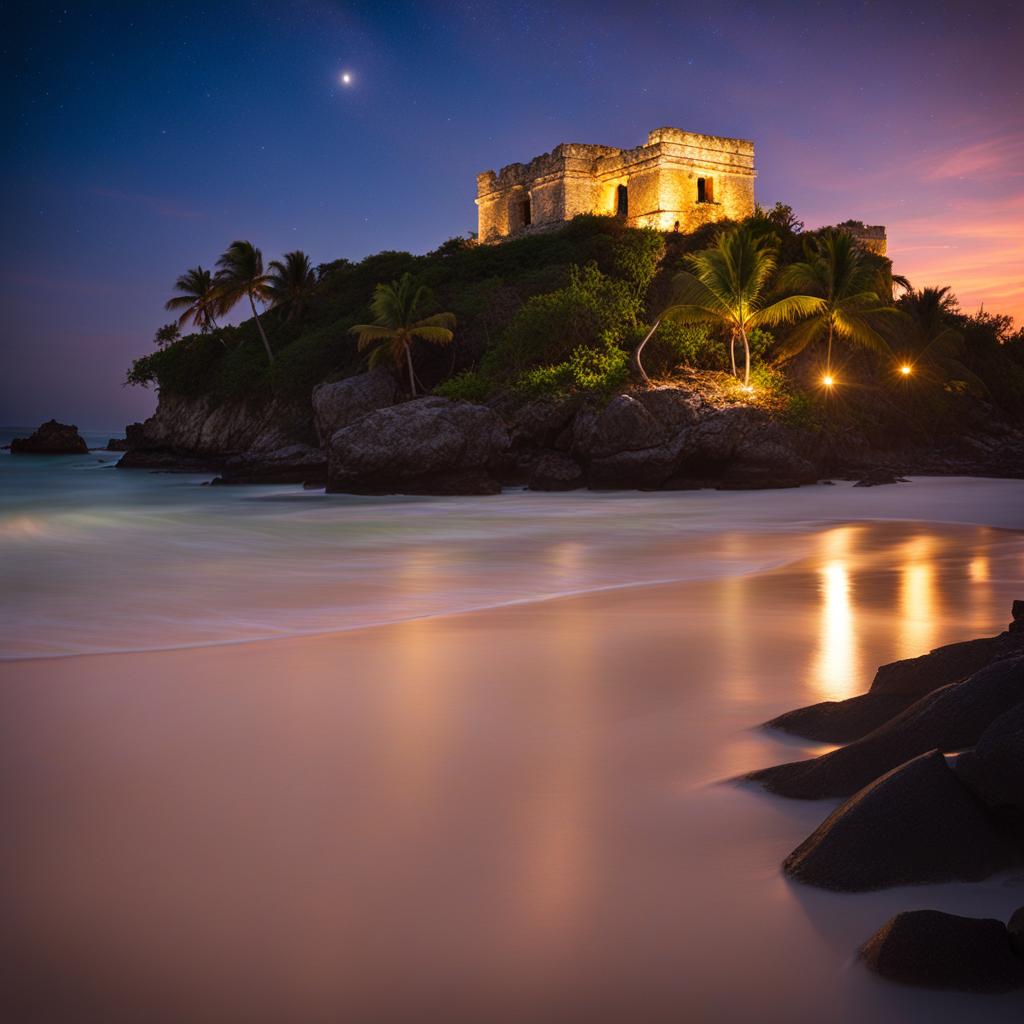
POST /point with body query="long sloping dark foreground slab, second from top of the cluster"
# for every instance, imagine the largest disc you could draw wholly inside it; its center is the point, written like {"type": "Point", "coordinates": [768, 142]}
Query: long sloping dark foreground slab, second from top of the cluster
{"type": "Point", "coordinates": [950, 719]}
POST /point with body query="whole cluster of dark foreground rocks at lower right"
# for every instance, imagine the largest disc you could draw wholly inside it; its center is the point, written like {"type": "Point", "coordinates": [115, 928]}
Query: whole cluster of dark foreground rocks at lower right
{"type": "Point", "coordinates": [932, 770]}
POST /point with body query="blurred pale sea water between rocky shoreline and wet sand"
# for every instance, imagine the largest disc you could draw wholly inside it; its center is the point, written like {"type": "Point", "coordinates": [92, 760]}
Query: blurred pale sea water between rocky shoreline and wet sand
{"type": "Point", "coordinates": [95, 560]}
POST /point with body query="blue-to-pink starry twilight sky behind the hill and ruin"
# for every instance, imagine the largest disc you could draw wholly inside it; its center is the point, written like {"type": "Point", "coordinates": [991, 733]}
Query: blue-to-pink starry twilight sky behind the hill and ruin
{"type": "Point", "coordinates": [140, 140]}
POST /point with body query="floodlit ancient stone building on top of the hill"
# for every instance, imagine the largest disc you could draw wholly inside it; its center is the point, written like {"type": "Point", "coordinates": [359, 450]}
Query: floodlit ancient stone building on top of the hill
{"type": "Point", "coordinates": [678, 182]}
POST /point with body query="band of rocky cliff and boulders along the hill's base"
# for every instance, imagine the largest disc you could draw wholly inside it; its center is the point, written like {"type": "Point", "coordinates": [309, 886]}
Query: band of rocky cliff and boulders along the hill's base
{"type": "Point", "coordinates": [359, 436]}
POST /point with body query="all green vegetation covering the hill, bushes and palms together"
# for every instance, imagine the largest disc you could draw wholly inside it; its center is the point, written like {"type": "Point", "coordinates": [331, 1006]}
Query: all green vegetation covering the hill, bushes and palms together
{"type": "Point", "coordinates": [564, 312]}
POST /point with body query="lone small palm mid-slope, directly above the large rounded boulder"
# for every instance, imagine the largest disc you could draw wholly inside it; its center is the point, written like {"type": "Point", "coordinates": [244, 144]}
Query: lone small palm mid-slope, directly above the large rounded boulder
{"type": "Point", "coordinates": [398, 322]}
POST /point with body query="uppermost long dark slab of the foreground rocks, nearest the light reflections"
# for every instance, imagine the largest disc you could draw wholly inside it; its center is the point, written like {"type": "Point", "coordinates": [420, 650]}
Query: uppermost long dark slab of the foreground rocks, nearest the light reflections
{"type": "Point", "coordinates": [897, 687]}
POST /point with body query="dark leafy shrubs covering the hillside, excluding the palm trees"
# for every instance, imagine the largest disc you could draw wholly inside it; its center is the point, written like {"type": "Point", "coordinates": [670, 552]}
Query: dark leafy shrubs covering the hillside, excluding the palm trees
{"type": "Point", "coordinates": [562, 312]}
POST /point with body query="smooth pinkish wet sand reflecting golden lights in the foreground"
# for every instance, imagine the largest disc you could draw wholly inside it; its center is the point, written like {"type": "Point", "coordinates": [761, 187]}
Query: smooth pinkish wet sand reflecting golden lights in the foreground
{"type": "Point", "coordinates": [515, 815]}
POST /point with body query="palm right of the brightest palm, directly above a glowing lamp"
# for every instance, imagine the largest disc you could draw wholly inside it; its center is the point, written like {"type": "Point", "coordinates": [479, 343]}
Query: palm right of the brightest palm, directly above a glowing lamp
{"type": "Point", "coordinates": [849, 282]}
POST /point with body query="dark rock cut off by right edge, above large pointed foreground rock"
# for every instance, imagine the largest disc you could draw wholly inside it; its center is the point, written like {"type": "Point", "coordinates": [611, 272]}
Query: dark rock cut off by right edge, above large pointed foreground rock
{"type": "Point", "coordinates": [994, 771]}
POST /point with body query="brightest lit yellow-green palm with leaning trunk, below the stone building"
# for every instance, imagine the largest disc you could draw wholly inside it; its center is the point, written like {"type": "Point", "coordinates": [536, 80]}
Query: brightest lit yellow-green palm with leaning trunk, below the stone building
{"type": "Point", "coordinates": [728, 287]}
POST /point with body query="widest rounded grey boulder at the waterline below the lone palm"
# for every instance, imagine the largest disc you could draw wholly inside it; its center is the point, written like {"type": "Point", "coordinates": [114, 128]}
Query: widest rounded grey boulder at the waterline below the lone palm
{"type": "Point", "coordinates": [430, 446]}
